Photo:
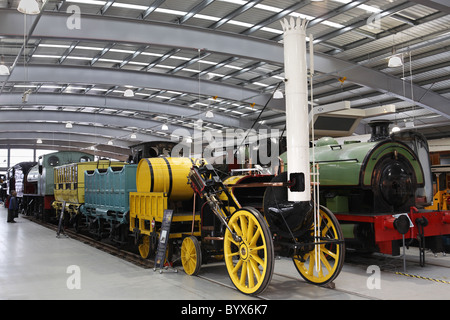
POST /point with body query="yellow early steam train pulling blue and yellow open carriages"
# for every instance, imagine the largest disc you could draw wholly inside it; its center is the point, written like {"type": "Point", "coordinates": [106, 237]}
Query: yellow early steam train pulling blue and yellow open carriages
{"type": "Point", "coordinates": [93, 194]}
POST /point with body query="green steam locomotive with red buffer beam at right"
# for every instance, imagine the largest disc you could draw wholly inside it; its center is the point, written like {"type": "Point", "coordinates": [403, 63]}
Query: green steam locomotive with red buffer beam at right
{"type": "Point", "coordinates": [381, 191]}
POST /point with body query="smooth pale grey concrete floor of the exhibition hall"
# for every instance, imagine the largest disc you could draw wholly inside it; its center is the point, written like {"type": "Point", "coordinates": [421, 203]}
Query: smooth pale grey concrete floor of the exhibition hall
{"type": "Point", "coordinates": [34, 264]}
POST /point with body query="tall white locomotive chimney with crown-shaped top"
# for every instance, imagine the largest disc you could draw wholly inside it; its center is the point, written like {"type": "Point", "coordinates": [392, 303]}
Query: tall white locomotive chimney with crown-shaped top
{"type": "Point", "coordinates": [296, 91]}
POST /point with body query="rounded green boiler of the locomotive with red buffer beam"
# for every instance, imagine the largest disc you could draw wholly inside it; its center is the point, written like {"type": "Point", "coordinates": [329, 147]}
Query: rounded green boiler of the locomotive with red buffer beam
{"type": "Point", "coordinates": [381, 175]}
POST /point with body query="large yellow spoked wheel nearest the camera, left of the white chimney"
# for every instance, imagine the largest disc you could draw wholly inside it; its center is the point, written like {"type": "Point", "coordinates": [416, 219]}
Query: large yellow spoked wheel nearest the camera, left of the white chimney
{"type": "Point", "coordinates": [249, 259]}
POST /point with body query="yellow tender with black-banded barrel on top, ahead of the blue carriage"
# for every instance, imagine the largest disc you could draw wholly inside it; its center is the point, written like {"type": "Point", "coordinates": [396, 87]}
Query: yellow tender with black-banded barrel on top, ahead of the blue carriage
{"type": "Point", "coordinates": [162, 183]}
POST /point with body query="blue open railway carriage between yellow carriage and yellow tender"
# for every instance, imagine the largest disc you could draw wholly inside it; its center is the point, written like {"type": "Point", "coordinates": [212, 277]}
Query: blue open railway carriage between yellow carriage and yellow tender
{"type": "Point", "coordinates": [106, 205]}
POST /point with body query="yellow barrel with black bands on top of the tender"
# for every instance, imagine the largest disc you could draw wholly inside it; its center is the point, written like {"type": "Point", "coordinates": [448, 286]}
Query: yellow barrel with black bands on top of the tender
{"type": "Point", "coordinates": [165, 174]}
